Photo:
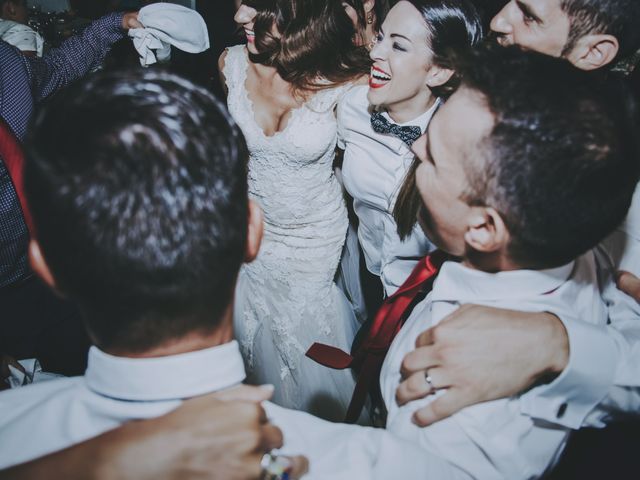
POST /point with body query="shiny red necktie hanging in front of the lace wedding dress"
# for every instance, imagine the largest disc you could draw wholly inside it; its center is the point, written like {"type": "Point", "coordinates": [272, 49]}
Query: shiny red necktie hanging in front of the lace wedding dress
{"type": "Point", "coordinates": [367, 359]}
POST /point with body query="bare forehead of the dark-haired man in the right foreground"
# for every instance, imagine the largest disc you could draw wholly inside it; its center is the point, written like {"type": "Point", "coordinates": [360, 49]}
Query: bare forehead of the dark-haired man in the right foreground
{"type": "Point", "coordinates": [459, 126]}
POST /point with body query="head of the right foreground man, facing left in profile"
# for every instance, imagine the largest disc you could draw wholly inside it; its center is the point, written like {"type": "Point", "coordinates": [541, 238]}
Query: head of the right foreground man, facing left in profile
{"type": "Point", "coordinates": [528, 165]}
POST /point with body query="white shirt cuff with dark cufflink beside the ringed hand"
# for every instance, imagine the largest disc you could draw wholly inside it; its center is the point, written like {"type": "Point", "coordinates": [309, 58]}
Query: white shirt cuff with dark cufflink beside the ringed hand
{"type": "Point", "coordinates": [583, 384]}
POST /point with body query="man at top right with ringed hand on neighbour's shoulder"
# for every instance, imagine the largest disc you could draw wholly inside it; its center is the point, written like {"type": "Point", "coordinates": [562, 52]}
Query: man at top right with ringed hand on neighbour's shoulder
{"type": "Point", "coordinates": [596, 367]}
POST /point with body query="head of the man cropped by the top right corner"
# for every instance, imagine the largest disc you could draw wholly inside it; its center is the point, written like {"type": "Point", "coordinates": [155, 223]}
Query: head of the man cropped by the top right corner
{"type": "Point", "coordinates": [589, 33]}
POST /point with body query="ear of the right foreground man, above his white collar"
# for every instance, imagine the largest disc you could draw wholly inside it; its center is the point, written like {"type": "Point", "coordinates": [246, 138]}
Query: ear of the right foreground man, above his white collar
{"type": "Point", "coordinates": [486, 232]}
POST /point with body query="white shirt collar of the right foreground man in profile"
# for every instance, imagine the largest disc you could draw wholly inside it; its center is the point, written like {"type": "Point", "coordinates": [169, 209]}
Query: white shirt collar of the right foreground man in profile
{"type": "Point", "coordinates": [458, 283]}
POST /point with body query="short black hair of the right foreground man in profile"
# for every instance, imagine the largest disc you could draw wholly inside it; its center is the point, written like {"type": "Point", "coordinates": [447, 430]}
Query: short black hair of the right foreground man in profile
{"type": "Point", "coordinates": [562, 160]}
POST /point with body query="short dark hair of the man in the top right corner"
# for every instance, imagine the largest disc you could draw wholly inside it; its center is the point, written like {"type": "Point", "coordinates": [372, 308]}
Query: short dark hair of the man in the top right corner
{"type": "Point", "coordinates": [620, 18]}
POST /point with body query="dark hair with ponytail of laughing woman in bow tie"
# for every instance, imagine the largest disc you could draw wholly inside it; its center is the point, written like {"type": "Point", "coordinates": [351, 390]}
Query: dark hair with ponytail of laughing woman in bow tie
{"type": "Point", "coordinates": [455, 27]}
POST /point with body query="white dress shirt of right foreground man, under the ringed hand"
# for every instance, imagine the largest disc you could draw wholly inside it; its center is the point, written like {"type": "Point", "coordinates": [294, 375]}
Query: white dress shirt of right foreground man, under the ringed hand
{"type": "Point", "coordinates": [492, 440]}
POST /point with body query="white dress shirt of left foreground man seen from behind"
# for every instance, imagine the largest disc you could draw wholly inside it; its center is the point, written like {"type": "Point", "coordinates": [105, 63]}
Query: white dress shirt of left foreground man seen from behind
{"type": "Point", "coordinates": [38, 419]}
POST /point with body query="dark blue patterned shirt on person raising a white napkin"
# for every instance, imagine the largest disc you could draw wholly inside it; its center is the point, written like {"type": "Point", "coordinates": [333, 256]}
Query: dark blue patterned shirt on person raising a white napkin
{"type": "Point", "coordinates": [24, 81]}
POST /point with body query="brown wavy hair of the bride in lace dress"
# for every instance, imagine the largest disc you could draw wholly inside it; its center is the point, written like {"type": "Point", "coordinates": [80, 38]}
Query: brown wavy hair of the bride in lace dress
{"type": "Point", "coordinates": [309, 43]}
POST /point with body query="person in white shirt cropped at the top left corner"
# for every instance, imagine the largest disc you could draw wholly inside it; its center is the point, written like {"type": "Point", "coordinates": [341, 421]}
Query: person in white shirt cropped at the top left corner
{"type": "Point", "coordinates": [14, 29]}
